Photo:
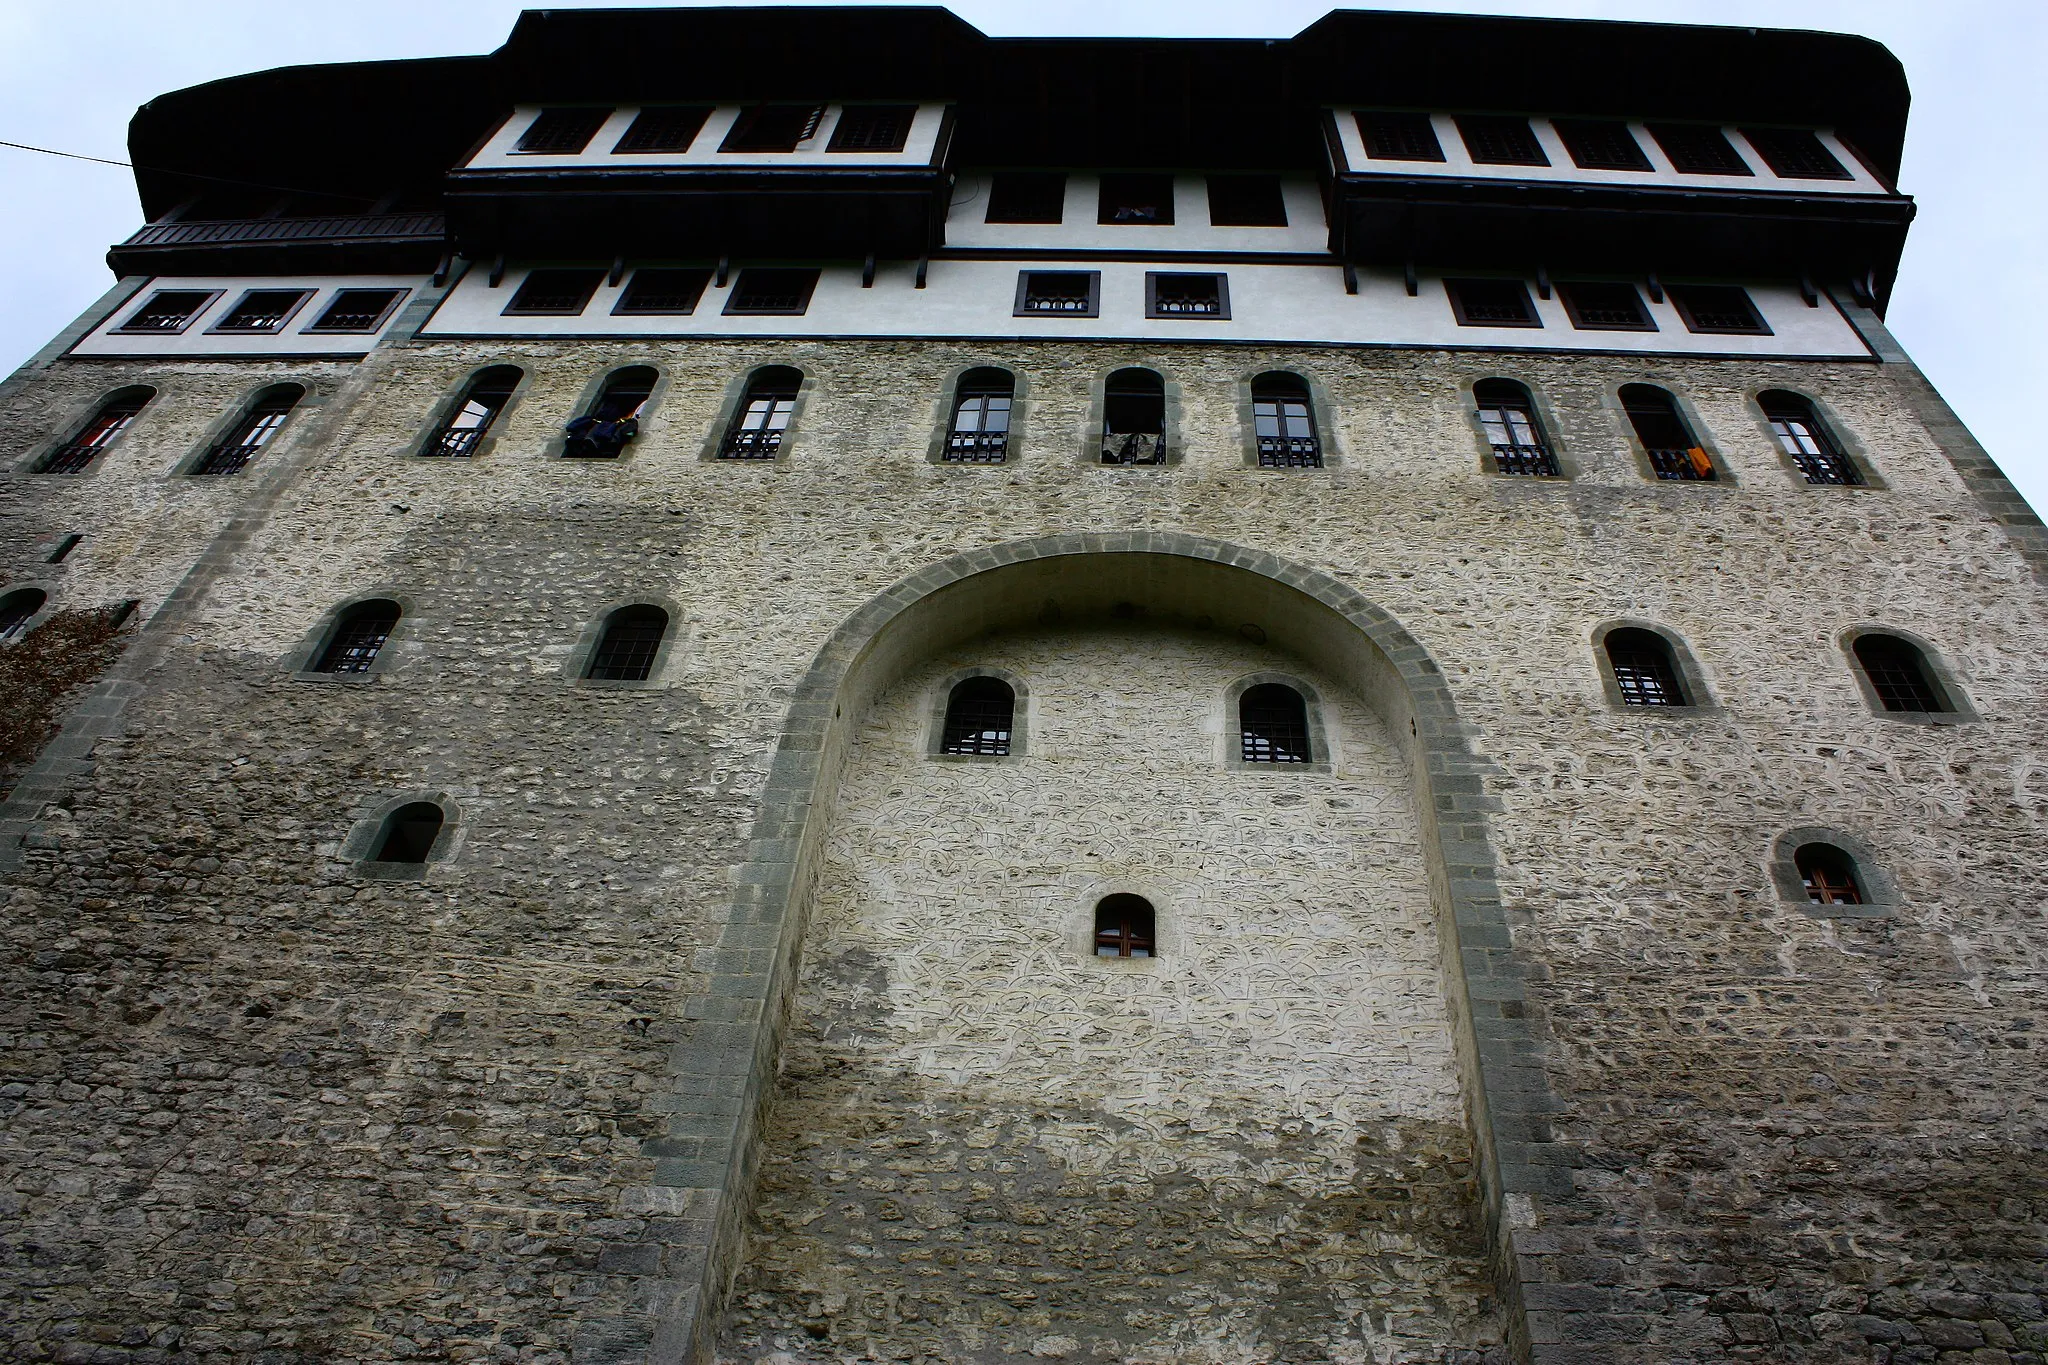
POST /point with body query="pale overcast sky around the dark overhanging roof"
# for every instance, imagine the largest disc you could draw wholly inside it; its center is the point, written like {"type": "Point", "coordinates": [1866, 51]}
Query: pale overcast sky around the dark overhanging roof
{"type": "Point", "coordinates": [1969, 300]}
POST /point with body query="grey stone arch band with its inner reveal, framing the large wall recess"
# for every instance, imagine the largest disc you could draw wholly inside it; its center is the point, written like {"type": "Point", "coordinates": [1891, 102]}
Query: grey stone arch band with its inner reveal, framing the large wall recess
{"type": "Point", "coordinates": [726, 1061]}
